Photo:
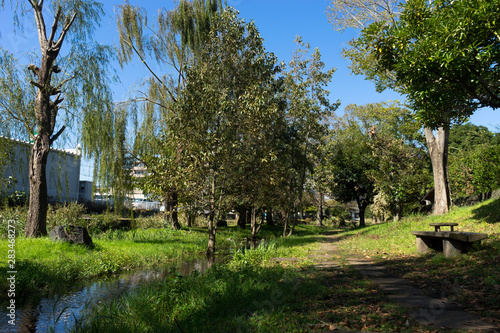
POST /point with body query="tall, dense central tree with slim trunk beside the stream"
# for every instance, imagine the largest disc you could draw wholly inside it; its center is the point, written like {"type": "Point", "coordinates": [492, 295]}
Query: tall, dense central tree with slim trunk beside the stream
{"type": "Point", "coordinates": [229, 101]}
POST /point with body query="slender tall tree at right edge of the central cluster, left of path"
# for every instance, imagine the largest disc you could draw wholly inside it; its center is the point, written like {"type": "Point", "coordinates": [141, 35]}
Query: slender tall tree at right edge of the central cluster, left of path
{"type": "Point", "coordinates": [308, 109]}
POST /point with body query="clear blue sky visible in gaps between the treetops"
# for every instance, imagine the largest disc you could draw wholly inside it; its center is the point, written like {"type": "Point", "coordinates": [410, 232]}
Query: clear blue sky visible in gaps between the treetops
{"type": "Point", "coordinates": [279, 22]}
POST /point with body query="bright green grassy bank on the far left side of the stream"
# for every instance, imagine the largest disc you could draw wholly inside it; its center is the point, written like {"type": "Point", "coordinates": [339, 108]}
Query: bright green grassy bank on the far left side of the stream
{"type": "Point", "coordinates": [44, 266]}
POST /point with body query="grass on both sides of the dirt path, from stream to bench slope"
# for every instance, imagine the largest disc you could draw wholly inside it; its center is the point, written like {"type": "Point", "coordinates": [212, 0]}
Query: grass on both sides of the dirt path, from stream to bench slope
{"type": "Point", "coordinates": [255, 294]}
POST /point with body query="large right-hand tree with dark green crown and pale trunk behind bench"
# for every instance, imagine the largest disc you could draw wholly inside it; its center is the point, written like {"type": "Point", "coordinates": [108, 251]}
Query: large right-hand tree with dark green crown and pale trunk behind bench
{"type": "Point", "coordinates": [442, 55]}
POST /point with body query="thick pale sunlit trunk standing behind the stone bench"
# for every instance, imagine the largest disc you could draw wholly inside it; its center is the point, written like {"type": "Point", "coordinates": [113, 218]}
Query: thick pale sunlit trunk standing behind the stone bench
{"type": "Point", "coordinates": [438, 151]}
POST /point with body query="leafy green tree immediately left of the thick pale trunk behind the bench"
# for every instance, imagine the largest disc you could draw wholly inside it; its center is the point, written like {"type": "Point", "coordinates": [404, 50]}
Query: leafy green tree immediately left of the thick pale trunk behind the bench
{"type": "Point", "coordinates": [398, 146]}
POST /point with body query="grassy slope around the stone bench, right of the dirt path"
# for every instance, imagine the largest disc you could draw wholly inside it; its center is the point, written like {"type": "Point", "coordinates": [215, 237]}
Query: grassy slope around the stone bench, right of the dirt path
{"type": "Point", "coordinates": [472, 279]}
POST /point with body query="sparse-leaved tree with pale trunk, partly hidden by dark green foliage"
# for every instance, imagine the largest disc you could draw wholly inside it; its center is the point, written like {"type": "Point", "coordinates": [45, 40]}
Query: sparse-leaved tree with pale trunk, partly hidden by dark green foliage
{"type": "Point", "coordinates": [364, 51]}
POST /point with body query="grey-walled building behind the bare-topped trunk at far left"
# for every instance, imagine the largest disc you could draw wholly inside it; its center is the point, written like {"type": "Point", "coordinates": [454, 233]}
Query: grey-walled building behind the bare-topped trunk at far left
{"type": "Point", "coordinates": [63, 170]}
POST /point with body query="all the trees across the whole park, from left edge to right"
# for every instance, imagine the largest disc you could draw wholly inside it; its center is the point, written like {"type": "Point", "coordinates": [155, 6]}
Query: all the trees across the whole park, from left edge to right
{"type": "Point", "coordinates": [221, 124]}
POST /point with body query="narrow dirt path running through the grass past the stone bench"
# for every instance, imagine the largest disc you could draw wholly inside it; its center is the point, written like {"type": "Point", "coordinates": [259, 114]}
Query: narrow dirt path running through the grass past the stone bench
{"type": "Point", "coordinates": [428, 308]}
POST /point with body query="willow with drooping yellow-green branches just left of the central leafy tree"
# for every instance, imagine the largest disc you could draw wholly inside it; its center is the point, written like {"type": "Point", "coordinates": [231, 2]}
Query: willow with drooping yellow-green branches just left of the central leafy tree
{"type": "Point", "coordinates": [176, 39]}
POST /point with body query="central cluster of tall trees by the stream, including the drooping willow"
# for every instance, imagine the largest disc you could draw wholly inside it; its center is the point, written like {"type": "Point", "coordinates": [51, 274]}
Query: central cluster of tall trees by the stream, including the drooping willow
{"type": "Point", "coordinates": [231, 127]}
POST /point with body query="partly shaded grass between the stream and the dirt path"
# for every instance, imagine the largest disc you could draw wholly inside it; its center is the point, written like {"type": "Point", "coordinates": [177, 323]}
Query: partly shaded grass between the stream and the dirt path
{"type": "Point", "coordinates": [250, 294]}
